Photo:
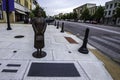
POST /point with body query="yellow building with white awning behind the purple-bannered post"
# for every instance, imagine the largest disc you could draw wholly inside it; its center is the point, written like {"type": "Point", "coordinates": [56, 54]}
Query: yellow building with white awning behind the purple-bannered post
{"type": "Point", "coordinates": [22, 10]}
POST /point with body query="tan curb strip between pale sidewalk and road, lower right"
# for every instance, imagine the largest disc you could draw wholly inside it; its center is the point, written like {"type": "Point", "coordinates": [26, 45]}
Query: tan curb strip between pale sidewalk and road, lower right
{"type": "Point", "coordinates": [112, 67]}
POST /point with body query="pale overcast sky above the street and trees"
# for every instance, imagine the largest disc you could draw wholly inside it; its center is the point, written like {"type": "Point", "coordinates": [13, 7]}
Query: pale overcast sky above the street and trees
{"type": "Point", "coordinates": [53, 7]}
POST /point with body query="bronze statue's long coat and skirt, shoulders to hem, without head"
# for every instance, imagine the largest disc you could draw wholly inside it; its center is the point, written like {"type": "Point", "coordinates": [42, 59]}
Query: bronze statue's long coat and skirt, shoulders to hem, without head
{"type": "Point", "coordinates": [39, 26]}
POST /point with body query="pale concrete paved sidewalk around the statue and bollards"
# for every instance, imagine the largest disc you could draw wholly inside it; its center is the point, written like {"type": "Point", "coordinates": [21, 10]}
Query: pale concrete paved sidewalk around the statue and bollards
{"type": "Point", "coordinates": [16, 55]}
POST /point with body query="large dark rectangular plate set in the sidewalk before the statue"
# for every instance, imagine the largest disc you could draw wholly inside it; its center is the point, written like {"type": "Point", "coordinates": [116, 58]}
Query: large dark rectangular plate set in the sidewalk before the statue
{"type": "Point", "coordinates": [53, 70]}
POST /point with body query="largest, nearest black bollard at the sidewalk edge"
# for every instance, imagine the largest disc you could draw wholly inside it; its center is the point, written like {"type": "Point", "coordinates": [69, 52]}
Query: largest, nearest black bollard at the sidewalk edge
{"type": "Point", "coordinates": [83, 49]}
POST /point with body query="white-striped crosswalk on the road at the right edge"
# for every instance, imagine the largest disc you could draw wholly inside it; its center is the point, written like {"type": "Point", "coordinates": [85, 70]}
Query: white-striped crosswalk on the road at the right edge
{"type": "Point", "coordinates": [109, 45]}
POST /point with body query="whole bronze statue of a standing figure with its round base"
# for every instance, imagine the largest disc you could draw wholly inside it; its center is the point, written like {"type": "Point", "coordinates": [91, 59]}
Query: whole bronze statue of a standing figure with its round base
{"type": "Point", "coordinates": [39, 27]}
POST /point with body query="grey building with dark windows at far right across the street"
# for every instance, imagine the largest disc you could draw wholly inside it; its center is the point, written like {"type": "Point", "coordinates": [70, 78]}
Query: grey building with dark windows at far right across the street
{"type": "Point", "coordinates": [110, 11]}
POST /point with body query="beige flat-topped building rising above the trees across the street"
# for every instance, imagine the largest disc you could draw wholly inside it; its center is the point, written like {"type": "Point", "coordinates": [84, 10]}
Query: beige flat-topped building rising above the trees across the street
{"type": "Point", "coordinates": [80, 9]}
